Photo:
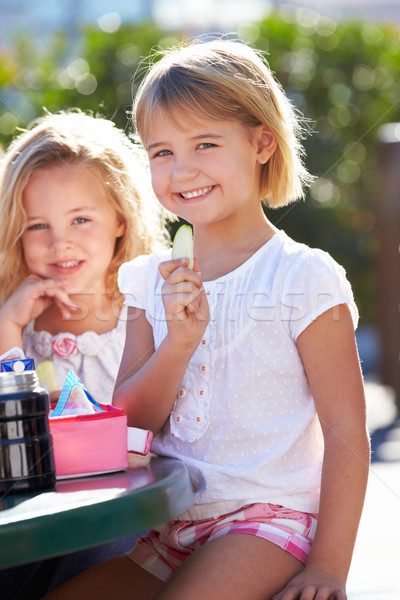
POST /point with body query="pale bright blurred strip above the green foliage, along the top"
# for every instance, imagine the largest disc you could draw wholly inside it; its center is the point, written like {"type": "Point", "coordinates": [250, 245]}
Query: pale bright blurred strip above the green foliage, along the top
{"type": "Point", "coordinates": [223, 15]}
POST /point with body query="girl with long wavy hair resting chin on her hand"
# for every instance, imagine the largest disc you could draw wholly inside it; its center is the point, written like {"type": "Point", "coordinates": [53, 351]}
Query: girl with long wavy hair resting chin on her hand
{"type": "Point", "coordinates": [72, 212]}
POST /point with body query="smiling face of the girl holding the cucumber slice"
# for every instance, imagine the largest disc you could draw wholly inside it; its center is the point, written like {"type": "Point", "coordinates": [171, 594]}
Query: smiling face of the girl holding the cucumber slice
{"type": "Point", "coordinates": [206, 171]}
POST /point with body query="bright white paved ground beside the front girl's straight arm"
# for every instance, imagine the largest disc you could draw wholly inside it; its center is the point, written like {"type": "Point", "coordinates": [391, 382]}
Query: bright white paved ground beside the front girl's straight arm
{"type": "Point", "coordinates": [376, 559]}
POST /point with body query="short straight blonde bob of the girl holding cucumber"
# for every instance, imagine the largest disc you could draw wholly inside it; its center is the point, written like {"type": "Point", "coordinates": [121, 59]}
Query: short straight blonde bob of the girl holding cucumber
{"type": "Point", "coordinates": [228, 80]}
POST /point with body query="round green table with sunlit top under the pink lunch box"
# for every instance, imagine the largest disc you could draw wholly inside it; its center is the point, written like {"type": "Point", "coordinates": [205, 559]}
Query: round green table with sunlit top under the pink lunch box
{"type": "Point", "coordinates": [88, 511]}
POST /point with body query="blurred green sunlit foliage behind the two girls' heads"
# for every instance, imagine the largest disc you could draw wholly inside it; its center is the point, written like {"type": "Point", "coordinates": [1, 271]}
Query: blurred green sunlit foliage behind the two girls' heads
{"type": "Point", "coordinates": [342, 76]}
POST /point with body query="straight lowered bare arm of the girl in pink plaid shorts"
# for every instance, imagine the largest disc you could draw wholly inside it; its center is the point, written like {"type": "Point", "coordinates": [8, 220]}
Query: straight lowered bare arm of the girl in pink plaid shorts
{"type": "Point", "coordinates": [328, 350]}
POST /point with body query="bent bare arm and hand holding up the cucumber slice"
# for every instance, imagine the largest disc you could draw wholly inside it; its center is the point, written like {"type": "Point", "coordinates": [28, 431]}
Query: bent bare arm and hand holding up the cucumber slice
{"type": "Point", "coordinates": [148, 380]}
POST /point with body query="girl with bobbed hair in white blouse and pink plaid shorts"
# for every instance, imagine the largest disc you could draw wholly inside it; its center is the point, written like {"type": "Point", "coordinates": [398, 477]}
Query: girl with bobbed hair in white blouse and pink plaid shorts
{"type": "Point", "coordinates": [247, 367]}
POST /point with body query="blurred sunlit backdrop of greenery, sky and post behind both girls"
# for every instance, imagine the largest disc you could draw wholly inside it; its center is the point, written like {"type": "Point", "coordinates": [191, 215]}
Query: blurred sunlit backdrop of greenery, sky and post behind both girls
{"type": "Point", "coordinates": [339, 62]}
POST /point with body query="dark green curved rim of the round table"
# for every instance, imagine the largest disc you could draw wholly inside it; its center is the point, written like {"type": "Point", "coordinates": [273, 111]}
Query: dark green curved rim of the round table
{"type": "Point", "coordinates": [30, 540]}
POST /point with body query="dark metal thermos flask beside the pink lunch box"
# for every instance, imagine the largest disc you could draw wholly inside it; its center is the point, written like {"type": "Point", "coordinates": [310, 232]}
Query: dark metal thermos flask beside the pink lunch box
{"type": "Point", "coordinates": [26, 451]}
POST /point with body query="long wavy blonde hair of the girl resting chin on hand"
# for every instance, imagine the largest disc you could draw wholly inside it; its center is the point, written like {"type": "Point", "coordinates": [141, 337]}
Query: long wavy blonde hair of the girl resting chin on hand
{"type": "Point", "coordinates": [77, 139]}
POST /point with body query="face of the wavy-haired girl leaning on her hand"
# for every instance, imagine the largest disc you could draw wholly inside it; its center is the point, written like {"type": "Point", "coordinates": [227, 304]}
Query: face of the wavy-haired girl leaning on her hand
{"type": "Point", "coordinates": [71, 228]}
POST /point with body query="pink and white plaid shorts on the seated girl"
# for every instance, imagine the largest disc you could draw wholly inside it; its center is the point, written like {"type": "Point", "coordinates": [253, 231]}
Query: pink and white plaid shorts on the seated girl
{"type": "Point", "coordinates": [162, 552]}
